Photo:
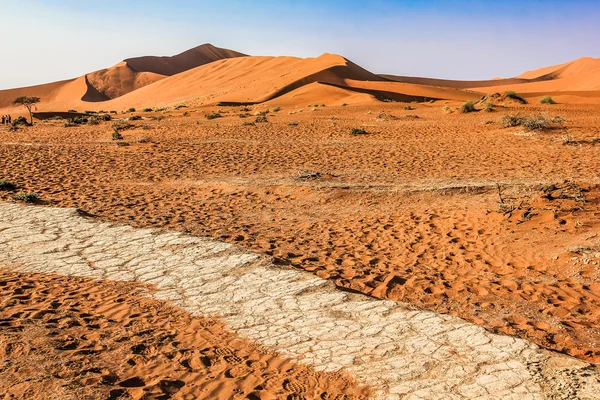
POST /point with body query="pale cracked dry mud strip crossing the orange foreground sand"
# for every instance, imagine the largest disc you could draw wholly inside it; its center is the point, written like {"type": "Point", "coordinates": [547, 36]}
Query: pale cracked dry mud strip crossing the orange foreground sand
{"type": "Point", "coordinates": [398, 350]}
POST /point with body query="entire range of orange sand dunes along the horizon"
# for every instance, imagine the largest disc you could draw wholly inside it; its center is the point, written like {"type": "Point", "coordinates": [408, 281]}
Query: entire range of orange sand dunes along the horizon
{"type": "Point", "coordinates": [209, 75]}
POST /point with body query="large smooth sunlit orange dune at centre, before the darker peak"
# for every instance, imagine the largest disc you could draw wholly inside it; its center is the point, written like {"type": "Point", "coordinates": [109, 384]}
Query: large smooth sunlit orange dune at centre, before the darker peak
{"type": "Point", "coordinates": [258, 79]}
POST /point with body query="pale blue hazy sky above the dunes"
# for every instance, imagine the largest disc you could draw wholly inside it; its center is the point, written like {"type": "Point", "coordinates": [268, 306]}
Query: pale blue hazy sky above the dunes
{"type": "Point", "coordinates": [49, 40]}
